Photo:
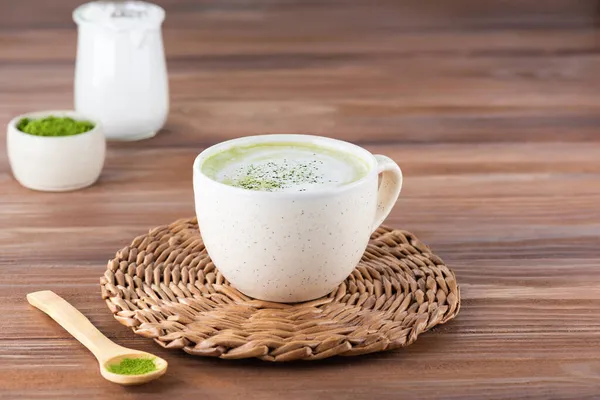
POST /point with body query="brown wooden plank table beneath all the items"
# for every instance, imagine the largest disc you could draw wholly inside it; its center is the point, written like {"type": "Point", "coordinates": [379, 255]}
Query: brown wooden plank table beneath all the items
{"type": "Point", "coordinates": [491, 108]}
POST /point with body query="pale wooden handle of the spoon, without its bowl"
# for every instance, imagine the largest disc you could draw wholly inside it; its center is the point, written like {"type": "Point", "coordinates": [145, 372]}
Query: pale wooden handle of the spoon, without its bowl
{"type": "Point", "coordinates": [75, 323]}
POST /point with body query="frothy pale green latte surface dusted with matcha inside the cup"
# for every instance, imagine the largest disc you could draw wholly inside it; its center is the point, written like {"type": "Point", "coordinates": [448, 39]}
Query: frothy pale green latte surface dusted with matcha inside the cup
{"type": "Point", "coordinates": [284, 167]}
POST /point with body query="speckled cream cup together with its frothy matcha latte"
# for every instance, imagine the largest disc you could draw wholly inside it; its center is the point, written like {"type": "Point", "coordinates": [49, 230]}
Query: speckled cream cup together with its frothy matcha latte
{"type": "Point", "coordinates": [286, 218]}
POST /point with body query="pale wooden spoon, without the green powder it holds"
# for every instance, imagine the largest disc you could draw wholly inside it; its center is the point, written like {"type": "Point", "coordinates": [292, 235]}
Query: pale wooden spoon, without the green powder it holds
{"type": "Point", "coordinates": [106, 351]}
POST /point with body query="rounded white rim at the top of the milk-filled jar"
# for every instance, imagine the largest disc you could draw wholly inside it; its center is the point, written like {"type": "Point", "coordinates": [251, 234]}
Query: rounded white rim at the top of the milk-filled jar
{"type": "Point", "coordinates": [120, 15]}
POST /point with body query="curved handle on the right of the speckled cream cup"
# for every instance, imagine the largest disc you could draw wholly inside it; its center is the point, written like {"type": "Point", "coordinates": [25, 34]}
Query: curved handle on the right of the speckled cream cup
{"type": "Point", "coordinates": [389, 189]}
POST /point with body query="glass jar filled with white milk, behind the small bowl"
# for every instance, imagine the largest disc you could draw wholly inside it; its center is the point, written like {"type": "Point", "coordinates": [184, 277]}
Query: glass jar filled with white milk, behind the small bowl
{"type": "Point", "coordinates": [120, 72]}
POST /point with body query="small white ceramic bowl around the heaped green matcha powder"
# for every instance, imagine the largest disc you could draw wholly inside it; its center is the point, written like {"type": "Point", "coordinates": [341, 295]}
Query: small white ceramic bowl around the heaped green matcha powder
{"type": "Point", "coordinates": [55, 163]}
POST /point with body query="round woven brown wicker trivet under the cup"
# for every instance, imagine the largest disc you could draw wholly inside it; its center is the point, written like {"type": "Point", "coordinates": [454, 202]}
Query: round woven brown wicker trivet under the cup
{"type": "Point", "coordinates": [165, 287]}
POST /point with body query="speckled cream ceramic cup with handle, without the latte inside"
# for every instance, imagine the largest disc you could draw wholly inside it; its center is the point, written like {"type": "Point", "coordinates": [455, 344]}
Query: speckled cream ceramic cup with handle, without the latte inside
{"type": "Point", "coordinates": [292, 246]}
